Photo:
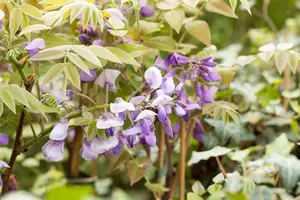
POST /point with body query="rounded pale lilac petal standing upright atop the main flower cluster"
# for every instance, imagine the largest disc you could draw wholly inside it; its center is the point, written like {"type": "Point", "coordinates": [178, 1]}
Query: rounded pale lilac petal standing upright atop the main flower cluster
{"type": "Point", "coordinates": [153, 77]}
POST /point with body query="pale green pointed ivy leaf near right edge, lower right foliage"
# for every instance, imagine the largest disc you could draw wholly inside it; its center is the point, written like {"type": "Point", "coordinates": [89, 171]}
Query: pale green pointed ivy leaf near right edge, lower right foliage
{"type": "Point", "coordinates": [280, 145]}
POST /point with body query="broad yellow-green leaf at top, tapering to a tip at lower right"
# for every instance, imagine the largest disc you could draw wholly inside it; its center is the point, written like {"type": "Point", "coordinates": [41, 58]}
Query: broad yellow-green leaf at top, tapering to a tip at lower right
{"type": "Point", "coordinates": [200, 30]}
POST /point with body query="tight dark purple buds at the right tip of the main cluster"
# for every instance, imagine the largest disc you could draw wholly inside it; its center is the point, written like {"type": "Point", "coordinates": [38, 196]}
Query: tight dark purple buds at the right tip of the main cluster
{"type": "Point", "coordinates": [202, 68]}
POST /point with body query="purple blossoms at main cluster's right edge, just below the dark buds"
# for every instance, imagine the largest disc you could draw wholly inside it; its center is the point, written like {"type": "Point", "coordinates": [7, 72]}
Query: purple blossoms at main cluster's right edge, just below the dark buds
{"type": "Point", "coordinates": [205, 93]}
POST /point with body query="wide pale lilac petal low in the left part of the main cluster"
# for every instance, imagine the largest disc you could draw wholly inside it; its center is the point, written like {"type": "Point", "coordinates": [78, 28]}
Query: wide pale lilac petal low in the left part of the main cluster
{"type": "Point", "coordinates": [101, 146]}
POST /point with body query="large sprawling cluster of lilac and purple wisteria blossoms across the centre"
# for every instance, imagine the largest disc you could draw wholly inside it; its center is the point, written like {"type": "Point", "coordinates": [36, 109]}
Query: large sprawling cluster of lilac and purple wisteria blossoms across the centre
{"type": "Point", "coordinates": [142, 111]}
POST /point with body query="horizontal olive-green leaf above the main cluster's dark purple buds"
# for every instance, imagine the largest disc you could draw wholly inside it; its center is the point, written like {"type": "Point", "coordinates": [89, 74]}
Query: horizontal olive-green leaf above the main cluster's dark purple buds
{"type": "Point", "coordinates": [164, 43]}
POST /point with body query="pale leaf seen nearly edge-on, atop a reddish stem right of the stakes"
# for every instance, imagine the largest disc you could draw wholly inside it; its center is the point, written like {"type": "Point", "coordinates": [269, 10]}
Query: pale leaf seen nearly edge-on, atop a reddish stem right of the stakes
{"type": "Point", "coordinates": [205, 155]}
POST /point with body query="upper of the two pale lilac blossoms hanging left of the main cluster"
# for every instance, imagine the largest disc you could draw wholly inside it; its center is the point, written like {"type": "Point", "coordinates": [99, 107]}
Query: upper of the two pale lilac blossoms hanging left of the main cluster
{"type": "Point", "coordinates": [60, 130]}
